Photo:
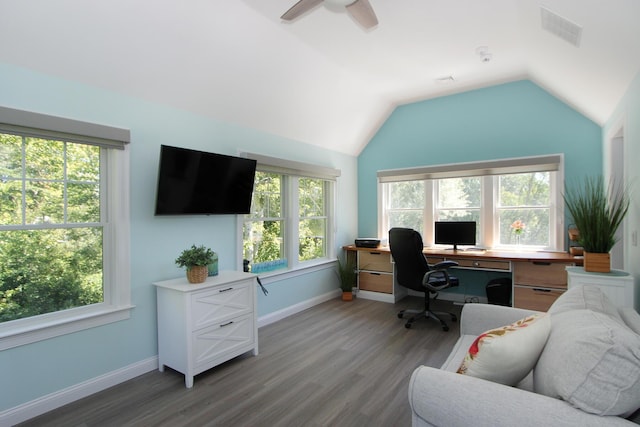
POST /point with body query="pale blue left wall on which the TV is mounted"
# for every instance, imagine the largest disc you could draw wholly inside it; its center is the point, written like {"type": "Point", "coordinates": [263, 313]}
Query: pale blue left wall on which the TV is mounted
{"type": "Point", "coordinates": [36, 370]}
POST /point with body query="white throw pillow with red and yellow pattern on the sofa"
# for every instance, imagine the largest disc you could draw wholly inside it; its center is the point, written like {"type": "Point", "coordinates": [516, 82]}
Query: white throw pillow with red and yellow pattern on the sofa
{"type": "Point", "coordinates": [507, 354]}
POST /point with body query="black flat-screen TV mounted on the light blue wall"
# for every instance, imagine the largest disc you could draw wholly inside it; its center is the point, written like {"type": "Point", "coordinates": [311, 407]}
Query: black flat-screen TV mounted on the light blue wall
{"type": "Point", "coordinates": [196, 182]}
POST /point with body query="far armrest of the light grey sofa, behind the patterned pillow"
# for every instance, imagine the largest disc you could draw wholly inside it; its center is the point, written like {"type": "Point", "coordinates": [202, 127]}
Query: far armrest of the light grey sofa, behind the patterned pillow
{"type": "Point", "coordinates": [478, 318]}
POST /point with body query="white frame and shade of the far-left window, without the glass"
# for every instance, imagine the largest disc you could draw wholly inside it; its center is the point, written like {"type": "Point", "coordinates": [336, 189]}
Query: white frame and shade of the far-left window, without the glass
{"type": "Point", "coordinates": [114, 184]}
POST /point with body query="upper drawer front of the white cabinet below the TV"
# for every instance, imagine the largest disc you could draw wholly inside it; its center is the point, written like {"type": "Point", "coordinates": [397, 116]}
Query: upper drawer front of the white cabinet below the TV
{"type": "Point", "coordinates": [218, 304]}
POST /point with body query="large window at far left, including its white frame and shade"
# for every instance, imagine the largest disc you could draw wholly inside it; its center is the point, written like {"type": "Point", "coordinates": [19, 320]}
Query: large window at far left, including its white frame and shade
{"type": "Point", "coordinates": [63, 227]}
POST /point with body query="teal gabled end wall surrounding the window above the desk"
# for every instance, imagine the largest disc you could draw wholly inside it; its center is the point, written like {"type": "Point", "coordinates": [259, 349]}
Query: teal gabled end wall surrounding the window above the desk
{"type": "Point", "coordinates": [510, 120]}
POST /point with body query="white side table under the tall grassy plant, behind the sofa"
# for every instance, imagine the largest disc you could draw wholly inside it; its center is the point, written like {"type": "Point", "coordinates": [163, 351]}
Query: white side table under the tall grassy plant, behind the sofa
{"type": "Point", "coordinates": [617, 285]}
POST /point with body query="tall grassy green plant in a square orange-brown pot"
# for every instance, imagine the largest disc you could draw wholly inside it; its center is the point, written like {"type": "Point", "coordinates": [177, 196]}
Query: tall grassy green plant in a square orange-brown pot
{"type": "Point", "coordinates": [597, 211]}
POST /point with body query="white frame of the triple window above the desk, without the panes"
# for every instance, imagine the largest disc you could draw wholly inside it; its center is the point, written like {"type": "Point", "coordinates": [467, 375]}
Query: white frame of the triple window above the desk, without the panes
{"type": "Point", "coordinates": [489, 171]}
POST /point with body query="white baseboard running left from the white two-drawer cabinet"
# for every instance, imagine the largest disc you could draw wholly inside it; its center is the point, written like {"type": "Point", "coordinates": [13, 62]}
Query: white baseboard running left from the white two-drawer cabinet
{"type": "Point", "coordinates": [60, 398]}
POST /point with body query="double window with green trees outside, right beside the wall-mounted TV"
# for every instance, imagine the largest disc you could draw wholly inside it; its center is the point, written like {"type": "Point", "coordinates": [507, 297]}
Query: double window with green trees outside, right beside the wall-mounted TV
{"type": "Point", "coordinates": [291, 219]}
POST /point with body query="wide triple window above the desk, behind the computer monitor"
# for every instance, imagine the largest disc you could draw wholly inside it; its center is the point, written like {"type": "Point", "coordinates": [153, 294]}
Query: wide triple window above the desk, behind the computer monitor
{"type": "Point", "coordinates": [514, 201]}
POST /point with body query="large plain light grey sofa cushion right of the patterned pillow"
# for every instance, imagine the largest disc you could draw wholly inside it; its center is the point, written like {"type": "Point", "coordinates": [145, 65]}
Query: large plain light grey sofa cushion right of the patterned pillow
{"type": "Point", "coordinates": [592, 361]}
